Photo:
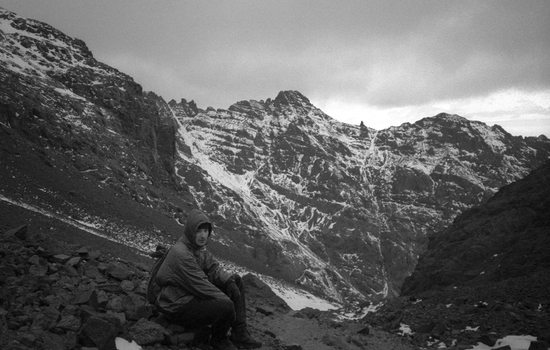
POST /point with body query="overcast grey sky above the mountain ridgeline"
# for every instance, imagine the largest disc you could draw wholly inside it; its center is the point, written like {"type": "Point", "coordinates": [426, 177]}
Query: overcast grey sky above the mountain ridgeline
{"type": "Point", "coordinates": [380, 62]}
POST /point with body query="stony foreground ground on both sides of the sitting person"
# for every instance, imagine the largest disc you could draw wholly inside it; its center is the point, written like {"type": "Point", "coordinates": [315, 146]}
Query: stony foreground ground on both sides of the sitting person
{"type": "Point", "coordinates": [58, 296]}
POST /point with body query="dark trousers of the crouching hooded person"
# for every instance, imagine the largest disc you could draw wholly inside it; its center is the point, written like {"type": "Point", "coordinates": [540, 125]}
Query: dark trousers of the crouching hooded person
{"type": "Point", "coordinates": [221, 314]}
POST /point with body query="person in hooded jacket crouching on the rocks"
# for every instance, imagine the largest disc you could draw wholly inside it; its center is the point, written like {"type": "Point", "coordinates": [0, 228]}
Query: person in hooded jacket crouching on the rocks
{"type": "Point", "coordinates": [192, 289]}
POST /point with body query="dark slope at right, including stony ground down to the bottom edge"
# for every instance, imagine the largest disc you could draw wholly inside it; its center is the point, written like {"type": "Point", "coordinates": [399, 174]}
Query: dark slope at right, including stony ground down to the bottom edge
{"type": "Point", "coordinates": [486, 276]}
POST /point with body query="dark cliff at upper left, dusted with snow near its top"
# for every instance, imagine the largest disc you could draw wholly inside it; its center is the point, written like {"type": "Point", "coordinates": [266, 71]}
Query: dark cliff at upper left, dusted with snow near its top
{"type": "Point", "coordinates": [56, 95]}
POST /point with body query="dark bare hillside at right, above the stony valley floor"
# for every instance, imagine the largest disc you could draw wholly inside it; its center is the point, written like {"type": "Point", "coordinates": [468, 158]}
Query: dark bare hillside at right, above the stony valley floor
{"type": "Point", "coordinates": [505, 238]}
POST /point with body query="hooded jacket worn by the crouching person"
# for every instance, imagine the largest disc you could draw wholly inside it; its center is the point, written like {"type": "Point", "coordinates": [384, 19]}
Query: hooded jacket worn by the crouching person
{"type": "Point", "coordinates": [189, 271]}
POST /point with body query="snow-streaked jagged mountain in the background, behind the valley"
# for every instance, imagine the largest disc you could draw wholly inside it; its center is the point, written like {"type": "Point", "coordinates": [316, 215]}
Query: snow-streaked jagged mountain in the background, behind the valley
{"type": "Point", "coordinates": [340, 208]}
